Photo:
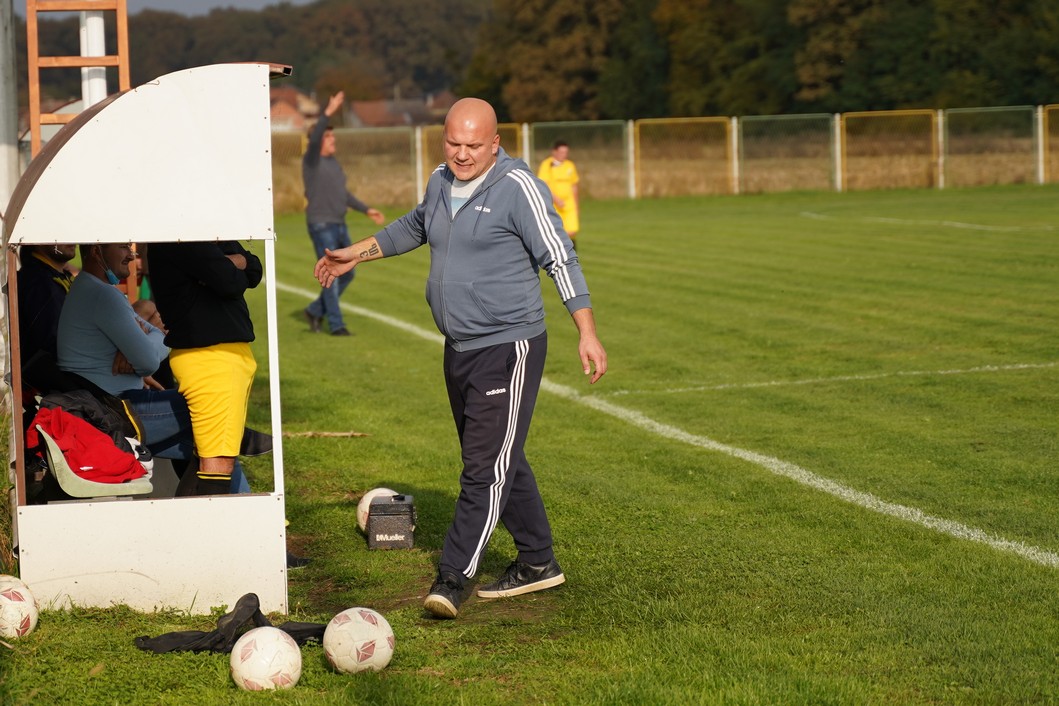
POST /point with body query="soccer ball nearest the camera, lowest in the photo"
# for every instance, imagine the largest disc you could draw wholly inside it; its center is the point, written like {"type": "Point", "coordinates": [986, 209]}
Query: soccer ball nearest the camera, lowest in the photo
{"type": "Point", "coordinates": [266, 659]}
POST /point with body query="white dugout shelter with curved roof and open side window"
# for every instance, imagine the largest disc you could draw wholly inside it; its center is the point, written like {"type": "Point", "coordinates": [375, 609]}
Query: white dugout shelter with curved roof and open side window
{"type": "Point", "coordinates": [187, 157]}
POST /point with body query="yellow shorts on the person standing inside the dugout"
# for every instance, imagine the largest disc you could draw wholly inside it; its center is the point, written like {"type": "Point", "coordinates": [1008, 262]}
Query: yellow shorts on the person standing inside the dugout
{"type": "Point", "coordinates": [217, 383]}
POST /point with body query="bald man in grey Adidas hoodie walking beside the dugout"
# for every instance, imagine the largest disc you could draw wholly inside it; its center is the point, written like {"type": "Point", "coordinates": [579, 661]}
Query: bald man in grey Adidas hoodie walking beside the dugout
{"type": "Point", "coordinates": [491, 227]}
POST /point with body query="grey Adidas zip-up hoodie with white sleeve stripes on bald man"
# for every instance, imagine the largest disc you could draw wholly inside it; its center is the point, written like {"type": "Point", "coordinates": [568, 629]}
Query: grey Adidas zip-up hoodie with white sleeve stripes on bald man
{"type": "Point", "coordinates": [483, 287]}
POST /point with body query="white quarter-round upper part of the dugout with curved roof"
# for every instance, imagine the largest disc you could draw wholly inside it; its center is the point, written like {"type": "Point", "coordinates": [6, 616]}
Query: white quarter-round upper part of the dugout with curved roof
{"type": "Point", "coordinates": [186, 157]}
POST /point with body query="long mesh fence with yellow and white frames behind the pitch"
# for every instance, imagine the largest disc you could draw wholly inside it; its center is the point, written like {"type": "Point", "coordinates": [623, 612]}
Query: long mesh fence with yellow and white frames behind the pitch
{"type": "Point", "coordinates": [705, 156]}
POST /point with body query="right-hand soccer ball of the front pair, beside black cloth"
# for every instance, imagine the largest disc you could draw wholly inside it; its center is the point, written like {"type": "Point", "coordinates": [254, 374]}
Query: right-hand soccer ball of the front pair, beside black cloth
{"type": "Point", "coordinates": [358, 640]}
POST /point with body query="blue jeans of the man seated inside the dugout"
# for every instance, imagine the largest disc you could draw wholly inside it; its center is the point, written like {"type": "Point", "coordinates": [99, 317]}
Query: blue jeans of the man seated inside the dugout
{"type": "Point", "coordinates": [168, 428]}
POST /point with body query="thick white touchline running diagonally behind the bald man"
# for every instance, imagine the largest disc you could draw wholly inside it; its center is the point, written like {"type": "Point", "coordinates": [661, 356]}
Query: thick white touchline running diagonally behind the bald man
{"type": "Point", "coordinates": [770, 464]}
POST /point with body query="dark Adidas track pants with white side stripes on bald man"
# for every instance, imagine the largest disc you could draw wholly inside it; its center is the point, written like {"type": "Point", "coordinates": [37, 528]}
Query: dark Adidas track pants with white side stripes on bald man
{"type": "Point", "coordinates": [493, 392]}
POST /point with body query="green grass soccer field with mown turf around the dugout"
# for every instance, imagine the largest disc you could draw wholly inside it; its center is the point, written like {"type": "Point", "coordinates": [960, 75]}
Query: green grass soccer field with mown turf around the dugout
{"type": "Point", "coordinates": [821, 470]}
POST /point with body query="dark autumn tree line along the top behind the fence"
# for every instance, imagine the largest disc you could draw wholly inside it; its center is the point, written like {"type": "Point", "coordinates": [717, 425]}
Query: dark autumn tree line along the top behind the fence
{"type": "Point", "coordinates": [588, 60]}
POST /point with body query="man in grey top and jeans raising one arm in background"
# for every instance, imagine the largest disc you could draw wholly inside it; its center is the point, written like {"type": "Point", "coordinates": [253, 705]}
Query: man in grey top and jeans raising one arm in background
{"type": "Point", "coordinates": [329, 197]}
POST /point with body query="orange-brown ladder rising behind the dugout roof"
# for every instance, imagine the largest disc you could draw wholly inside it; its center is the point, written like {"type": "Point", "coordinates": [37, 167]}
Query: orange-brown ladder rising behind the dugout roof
{"type": "Point", "coordinates": [35, 63]}
